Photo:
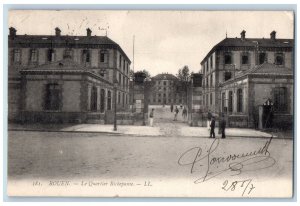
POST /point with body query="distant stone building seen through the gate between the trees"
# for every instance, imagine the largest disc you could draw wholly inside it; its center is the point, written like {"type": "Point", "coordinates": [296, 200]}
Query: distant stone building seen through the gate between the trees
{"type": "Point", "coordinates": [166, 90]}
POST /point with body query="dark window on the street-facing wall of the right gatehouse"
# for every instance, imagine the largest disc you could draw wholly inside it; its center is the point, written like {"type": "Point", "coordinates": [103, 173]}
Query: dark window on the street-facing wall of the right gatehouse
{"type": "Point", "coordinates": [280, 99]}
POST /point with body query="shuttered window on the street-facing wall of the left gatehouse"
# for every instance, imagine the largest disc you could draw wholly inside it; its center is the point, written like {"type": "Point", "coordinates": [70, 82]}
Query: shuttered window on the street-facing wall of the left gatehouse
{"type": "Point", "coordinates": [52, 100]}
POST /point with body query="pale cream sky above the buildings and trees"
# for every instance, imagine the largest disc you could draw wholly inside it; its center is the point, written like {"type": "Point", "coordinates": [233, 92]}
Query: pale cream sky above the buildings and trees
{"type": "Point", "coordinates": [165, 41]}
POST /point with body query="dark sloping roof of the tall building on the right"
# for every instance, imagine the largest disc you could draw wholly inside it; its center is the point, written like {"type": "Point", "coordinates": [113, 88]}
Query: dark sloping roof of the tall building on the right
{"type": "Point", "coordinates": [251, 43]}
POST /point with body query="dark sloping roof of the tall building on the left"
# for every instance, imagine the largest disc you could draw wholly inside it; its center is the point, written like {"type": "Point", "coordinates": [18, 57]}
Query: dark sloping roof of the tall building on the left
{"type": "Point", "coordinates": [72, 41]}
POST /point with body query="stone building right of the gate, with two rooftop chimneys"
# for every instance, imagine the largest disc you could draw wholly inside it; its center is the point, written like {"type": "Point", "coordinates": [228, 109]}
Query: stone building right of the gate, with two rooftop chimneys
{"type": "Point", "coordinates": [229, 70]}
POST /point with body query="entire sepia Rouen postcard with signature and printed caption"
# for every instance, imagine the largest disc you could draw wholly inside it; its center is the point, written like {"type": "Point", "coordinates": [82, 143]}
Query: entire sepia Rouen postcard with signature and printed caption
{"type": "Point", "coordinates": [150, 103]}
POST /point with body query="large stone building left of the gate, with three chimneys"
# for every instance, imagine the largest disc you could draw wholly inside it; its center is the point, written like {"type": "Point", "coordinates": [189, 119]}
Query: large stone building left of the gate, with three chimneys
{"type": "Point", "coordinates": [61, 78]}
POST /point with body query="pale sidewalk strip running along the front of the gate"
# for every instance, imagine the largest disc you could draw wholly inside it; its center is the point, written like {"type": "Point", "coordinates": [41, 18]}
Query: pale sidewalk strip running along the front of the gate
{"type": "Point", "coordinates": [162, 129]}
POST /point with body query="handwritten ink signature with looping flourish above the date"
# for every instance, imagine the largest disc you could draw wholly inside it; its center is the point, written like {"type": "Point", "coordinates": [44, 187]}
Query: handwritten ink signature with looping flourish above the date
{"type": "Point", "coordinates": [237, 163]}
